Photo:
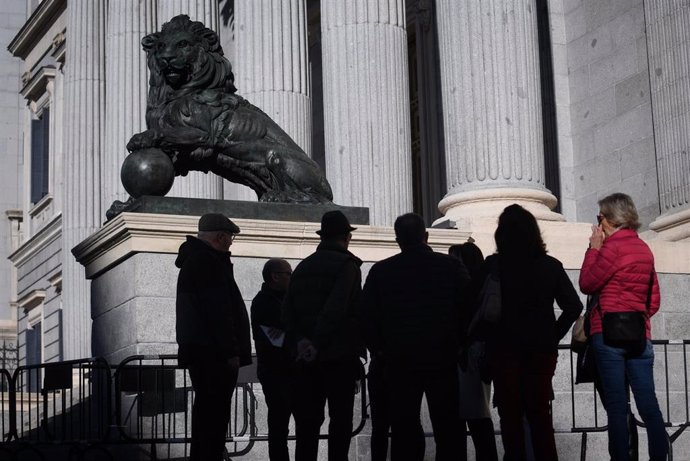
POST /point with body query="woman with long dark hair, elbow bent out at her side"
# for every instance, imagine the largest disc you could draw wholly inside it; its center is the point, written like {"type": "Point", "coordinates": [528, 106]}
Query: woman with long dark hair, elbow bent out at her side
{"type": "Point", "coordinates": [522, 348]}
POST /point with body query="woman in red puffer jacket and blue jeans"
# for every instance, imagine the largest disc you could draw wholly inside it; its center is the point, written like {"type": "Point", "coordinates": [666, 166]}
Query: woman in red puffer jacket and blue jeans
{"type": "Point", "coordinates": [620, 267]}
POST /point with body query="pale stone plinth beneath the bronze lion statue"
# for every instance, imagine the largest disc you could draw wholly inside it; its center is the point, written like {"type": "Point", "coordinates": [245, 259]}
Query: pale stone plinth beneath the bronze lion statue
{"type": "Point", "coordinates": [130, 262]}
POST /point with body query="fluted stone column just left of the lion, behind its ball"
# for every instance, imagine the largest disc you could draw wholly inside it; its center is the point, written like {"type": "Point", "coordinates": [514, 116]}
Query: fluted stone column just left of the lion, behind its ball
{"type": "Point", "coordinates": [126, 87]}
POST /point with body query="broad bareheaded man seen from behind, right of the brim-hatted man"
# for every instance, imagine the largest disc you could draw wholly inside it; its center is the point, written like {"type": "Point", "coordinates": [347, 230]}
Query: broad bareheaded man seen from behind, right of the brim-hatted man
{"type": "Point", "coordinates": [412, 305]}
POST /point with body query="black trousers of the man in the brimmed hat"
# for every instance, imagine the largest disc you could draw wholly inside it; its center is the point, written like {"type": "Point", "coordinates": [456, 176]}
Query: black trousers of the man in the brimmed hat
{"type": "Point", "coordinates": [318, 383]}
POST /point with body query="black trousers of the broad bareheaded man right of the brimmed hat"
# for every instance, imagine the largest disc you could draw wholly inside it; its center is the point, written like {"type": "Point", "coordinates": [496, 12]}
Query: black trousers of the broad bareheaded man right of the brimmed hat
{"type": "Point", "coordinates": [407, 387]}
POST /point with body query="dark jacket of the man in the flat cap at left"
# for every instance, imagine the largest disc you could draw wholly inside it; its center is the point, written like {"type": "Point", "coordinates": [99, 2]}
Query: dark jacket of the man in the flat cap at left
{"type": "Point", "coordinates": [211, 316]}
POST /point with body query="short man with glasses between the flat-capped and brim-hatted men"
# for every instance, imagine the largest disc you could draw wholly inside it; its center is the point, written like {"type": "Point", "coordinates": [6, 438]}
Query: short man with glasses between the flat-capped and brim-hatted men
{"type": "Point", "coordinates": [274, 365]}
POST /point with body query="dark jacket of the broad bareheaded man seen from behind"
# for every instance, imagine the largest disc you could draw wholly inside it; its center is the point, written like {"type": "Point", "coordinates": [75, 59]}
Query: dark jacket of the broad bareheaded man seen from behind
{"type": "Point", "coordinates": [412, 305]}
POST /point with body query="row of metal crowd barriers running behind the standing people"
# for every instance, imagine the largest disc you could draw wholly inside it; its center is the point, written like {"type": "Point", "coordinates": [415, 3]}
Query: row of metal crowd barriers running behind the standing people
{"type": "Point", "coordinates": [146, 401]}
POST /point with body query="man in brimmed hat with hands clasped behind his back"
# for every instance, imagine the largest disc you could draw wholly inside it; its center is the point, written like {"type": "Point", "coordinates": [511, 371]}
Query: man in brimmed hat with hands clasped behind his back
{"type": "Point", "coordinates": [320, 313]}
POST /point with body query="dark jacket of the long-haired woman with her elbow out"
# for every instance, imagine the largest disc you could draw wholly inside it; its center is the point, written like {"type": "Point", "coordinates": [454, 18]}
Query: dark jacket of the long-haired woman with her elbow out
{"type": "Point", "coordinates": [528, 290]}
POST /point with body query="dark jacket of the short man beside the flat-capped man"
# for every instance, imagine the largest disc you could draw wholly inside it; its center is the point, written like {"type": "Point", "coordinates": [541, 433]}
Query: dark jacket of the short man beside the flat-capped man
{"type": "Point", "coordinates": [266, 311]}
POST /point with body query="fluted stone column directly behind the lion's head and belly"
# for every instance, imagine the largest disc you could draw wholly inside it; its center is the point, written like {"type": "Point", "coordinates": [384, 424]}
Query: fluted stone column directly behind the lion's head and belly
{"type": "Point", "coordinates": [196, 184]}
